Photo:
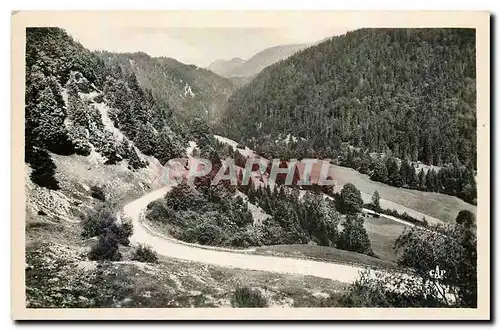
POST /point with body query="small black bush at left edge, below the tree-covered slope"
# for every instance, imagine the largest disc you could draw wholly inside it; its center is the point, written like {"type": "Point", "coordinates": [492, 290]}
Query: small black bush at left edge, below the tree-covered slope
{"type": "Point", "coordinates": [43, 168]}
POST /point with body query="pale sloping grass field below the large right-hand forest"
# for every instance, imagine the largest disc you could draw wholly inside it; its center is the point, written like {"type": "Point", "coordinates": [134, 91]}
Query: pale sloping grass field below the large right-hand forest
{"type": "Point", "coordinates": [414, 202]}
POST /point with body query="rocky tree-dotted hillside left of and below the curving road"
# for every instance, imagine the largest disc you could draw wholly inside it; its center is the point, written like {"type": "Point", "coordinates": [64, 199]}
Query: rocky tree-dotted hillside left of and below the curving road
{"type": "Point", "coordinates": [95, 140]}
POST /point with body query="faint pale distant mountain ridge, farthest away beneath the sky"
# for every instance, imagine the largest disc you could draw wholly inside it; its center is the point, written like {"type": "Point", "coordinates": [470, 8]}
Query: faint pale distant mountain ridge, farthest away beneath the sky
{"type": "Point", "coordinates": [255, 64]}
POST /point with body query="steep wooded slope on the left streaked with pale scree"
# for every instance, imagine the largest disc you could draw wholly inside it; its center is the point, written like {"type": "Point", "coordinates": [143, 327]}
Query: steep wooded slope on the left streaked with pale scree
{"type": "Point", "coordinates": [75, 104]}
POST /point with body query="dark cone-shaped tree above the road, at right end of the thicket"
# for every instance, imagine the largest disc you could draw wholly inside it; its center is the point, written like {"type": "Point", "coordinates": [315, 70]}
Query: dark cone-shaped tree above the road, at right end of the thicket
{"type": "Point", "coordinates": [354, 236]}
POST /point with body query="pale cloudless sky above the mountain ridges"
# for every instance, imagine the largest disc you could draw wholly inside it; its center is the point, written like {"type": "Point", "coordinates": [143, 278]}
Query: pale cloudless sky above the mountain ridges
{"type": "Point", "coordinates": [197, 45]}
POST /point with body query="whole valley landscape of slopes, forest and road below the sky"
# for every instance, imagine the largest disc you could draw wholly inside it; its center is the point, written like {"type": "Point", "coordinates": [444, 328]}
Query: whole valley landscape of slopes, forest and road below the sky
{"type": "Point", "coordinates": [105, 227]}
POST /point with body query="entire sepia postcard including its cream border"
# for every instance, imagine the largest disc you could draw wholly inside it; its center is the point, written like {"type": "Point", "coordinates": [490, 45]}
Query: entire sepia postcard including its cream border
{"type": "Point", "coordinates": [247, 165]}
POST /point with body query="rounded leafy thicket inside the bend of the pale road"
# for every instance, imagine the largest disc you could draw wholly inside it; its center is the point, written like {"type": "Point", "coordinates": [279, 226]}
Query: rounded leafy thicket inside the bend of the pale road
{"type": "Point", "coordinates": [209, 215]}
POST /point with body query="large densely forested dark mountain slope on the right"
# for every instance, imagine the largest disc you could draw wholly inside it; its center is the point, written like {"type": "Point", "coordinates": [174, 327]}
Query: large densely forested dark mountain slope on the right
{"type": "Point", "coordinates": [406, 91]}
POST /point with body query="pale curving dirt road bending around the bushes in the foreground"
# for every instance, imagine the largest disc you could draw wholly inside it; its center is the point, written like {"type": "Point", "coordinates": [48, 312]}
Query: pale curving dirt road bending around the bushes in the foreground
{"type": "Point", "coordinates": [224, 258]}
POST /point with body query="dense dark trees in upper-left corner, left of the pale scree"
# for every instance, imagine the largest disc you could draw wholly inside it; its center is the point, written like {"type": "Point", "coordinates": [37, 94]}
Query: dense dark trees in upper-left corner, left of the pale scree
{"type": "Point", "coordinates": [51, 55]}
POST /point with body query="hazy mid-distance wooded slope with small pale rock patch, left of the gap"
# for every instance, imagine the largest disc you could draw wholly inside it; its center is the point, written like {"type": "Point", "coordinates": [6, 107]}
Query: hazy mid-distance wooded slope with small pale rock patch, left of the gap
{"type": "Point", "coordinates": [188, 90]}
